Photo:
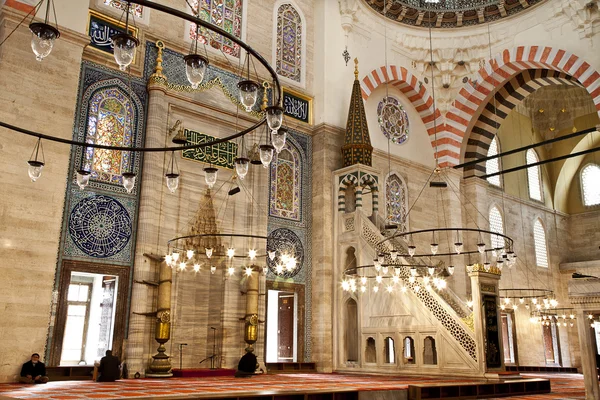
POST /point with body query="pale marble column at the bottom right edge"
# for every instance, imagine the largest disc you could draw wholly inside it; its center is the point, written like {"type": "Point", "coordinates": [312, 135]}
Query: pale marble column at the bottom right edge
{"type": "Point", "coordinates": [588, 359]}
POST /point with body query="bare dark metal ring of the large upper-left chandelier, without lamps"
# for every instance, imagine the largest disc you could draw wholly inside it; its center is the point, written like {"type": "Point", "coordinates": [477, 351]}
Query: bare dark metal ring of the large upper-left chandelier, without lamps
{"type": "Point", "coordinates": [205, 24]}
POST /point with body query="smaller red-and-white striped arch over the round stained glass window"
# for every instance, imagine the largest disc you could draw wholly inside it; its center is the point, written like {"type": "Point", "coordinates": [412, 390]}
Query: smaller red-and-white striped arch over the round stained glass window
{"type": "Point", "coordinates": [416, 93]}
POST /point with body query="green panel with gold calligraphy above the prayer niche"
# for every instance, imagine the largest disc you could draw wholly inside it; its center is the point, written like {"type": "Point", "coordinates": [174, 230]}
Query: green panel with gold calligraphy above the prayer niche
{"type": "Point", "coordinates": [221, 155]}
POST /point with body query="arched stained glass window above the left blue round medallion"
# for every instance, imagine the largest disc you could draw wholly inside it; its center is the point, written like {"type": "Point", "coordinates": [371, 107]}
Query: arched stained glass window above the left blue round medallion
{"type": "Point", "coordinates": [109, 122]}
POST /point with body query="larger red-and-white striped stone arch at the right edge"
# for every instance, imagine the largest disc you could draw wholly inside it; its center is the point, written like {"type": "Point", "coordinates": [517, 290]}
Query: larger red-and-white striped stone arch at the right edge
{"type": "Point", "coordinates": [477, 92]}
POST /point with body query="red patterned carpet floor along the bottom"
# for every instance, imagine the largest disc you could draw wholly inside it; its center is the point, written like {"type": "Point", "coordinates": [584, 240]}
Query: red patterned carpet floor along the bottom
{"type": "Point", "coordinates": [564, 386]}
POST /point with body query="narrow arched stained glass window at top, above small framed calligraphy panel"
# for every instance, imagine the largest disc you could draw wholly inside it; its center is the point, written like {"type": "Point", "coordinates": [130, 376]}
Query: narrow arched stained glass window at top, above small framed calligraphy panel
{"type": "Point", "coordinates": [289, 43]}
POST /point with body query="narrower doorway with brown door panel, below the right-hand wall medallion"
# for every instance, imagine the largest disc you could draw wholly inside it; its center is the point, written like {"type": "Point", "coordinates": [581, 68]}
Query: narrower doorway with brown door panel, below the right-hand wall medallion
{"type": "Point", "coordinates": [282, 328]}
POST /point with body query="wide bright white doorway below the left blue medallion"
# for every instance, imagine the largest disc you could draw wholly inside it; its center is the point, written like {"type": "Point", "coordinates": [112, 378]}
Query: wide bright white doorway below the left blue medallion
{"type": "Point", "coordinates": [89, 326]}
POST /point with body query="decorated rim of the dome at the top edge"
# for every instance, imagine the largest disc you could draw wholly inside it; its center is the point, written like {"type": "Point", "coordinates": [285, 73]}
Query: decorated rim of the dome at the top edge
{"type": "Point", "coordinates": [449, 13]}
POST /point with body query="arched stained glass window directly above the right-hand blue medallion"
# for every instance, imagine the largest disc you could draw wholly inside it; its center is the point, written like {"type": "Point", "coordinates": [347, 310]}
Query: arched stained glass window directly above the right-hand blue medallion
{"type": "Point", "coordinates": [285, 187]}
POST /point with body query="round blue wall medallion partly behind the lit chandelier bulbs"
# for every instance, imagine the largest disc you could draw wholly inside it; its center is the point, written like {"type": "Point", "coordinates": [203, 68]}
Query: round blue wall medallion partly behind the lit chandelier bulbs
{"type": "Point", "coordinates": [287, 243]}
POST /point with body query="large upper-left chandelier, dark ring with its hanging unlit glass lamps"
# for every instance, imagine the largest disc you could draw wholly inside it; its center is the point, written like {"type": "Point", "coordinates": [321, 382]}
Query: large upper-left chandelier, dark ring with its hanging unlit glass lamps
{"type": "Point", "coordinates": [44, 36]}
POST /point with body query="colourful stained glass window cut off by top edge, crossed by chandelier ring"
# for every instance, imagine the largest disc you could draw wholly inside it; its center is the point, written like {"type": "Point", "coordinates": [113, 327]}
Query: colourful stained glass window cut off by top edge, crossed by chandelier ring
{"type": "Point", "coordinates": [227, 15]}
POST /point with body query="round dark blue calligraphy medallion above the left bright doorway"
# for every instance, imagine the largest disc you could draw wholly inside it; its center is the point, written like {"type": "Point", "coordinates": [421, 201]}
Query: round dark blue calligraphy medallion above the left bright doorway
{"type": "Point", "coordinates": [100, 226]}
